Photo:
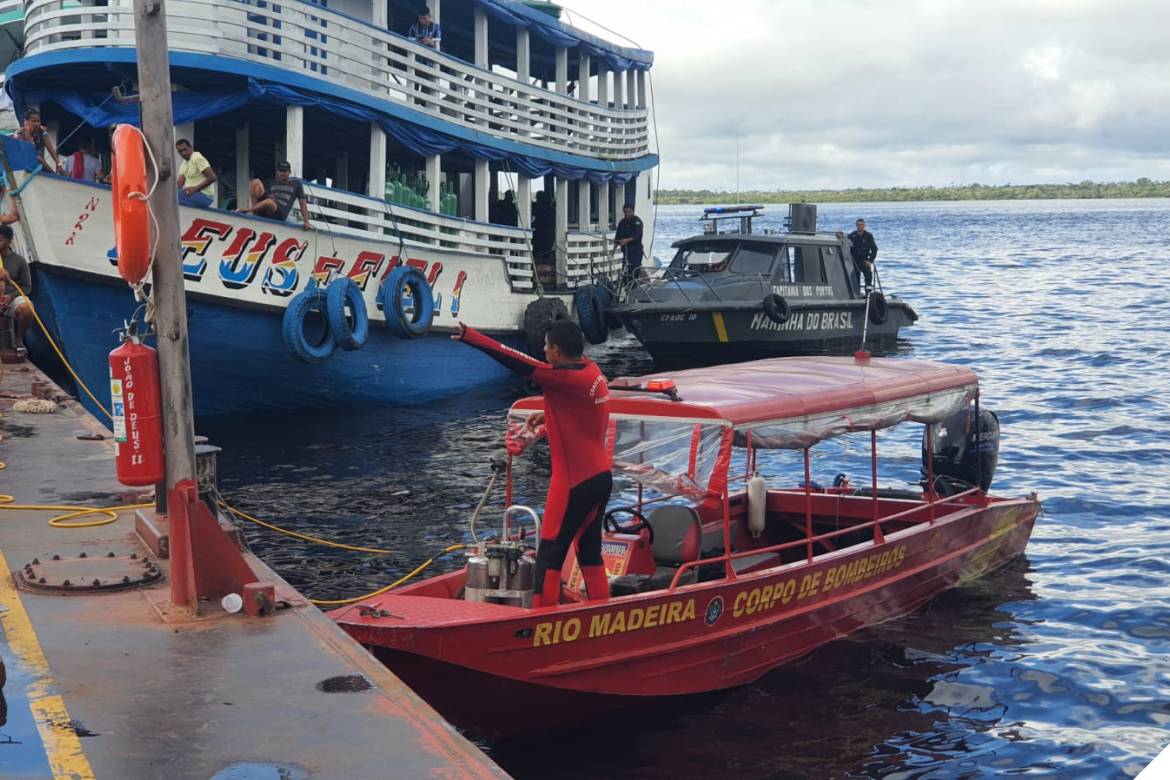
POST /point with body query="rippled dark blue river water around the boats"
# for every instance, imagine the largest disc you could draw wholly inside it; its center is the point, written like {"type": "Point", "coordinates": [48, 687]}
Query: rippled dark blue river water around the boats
{"type": "Point", "coordinates": [1056, 666]}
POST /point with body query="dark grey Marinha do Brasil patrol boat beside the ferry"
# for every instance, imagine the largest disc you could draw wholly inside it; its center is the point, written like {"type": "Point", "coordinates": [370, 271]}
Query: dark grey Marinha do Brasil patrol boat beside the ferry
{"type": "Point", "coordinates": [733, 294]}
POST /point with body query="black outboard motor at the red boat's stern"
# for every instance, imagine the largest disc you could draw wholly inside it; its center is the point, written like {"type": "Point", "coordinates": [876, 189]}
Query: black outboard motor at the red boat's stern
{"type": "Point", "coordinates": [962, 459]}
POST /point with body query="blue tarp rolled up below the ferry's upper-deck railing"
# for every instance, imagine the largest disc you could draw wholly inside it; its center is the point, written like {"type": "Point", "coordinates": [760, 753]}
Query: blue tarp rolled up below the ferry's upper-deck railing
{"type": "Point", "coordinates": [100, 112]}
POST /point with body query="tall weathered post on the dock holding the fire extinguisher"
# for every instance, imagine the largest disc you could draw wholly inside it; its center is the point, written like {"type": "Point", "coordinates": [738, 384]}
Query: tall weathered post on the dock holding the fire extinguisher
{"type": "Point", "coordinates": [170, 299]}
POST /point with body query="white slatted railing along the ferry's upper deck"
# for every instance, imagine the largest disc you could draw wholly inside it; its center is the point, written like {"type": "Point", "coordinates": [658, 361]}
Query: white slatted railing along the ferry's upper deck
{"type": "Point", "coordinates": [346, 52]}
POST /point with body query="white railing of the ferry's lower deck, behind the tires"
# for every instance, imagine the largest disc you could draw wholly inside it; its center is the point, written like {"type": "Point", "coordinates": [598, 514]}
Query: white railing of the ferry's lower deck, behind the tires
{"type": "Point", "coordinates": [361, 217]}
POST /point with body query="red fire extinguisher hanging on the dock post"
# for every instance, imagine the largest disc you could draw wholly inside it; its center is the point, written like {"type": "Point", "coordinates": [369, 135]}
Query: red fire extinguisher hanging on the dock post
{"type": "Point", "coordinates": [135, 397]}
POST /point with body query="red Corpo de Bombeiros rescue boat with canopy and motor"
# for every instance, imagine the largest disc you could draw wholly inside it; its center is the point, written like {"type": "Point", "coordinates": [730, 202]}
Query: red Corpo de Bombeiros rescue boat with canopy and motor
{"type": "Point", "coordinates": [717, 578]}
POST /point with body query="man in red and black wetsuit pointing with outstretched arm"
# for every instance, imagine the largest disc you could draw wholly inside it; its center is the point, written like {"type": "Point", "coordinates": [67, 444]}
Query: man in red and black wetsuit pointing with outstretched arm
{"type": "Point", "coordinates": [577, 417]}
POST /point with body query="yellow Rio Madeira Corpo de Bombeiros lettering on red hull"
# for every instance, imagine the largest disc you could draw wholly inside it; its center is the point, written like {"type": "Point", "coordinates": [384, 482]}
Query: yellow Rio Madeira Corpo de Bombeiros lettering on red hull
{"type": "Point", "coordinates": [748, 602]}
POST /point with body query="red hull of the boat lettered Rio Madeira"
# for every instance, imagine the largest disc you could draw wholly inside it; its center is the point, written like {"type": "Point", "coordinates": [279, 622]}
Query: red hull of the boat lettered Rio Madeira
{"type": "Point", "coordinates": [505, 671]}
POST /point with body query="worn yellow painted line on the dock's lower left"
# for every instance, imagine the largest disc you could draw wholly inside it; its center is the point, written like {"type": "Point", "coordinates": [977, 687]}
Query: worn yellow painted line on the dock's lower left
{"type": "Point", "coordinates": [63, 747]}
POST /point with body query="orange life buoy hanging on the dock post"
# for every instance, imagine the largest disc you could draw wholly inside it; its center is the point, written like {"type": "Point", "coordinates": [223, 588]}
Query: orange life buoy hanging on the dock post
{"type": "Point", "coordinates": [132, 217]}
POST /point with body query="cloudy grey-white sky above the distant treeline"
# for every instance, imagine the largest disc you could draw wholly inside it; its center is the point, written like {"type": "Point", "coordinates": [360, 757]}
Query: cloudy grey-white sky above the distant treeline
{"type": "Point", "coordinates": [878, 93]}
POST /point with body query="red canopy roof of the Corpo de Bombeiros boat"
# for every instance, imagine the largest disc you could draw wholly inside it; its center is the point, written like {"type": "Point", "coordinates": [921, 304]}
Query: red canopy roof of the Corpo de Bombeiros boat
{"type": "Point", "coordinates": [795, 403]}
